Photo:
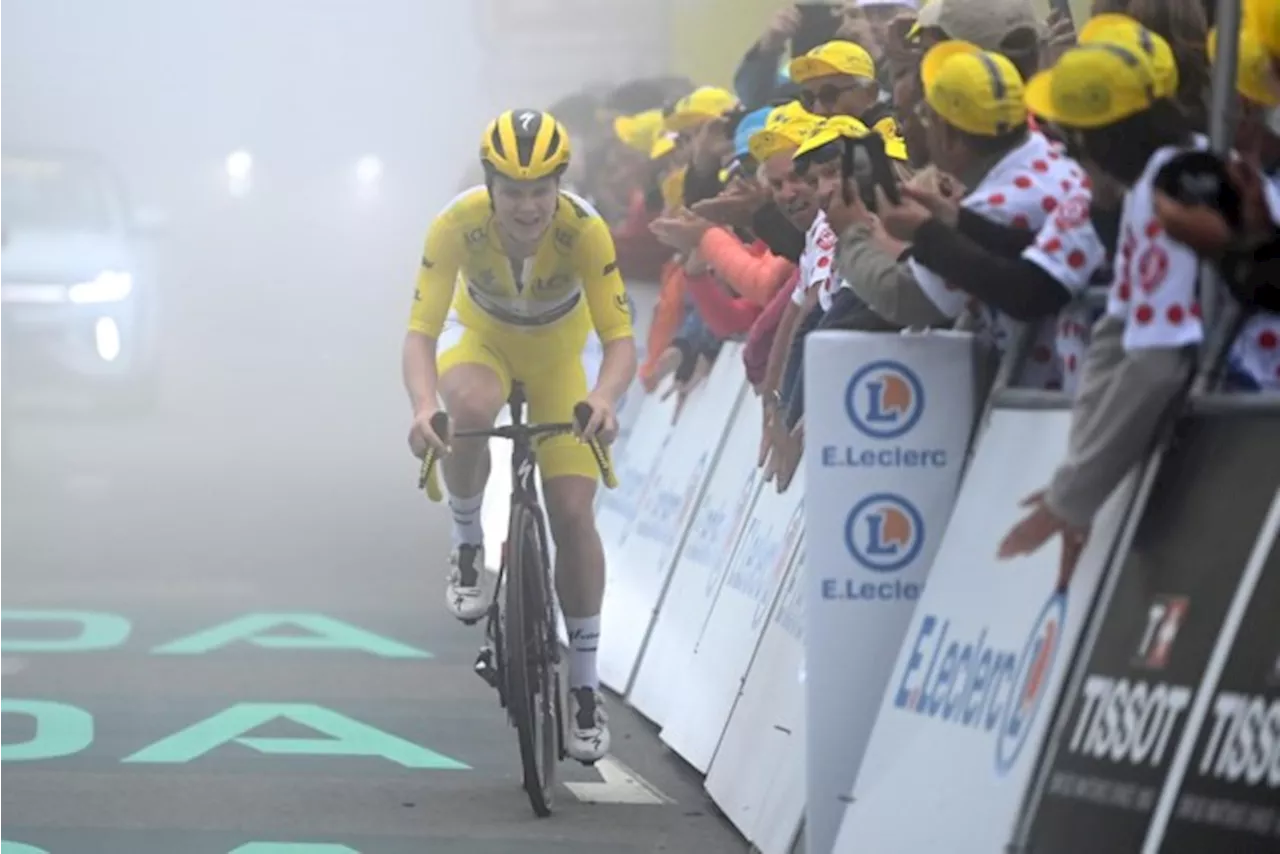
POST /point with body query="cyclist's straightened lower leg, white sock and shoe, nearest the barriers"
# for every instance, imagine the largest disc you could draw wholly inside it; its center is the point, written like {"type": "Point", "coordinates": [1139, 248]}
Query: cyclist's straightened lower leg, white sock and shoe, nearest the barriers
{"type": "Point", "coordinates": [580, 587]}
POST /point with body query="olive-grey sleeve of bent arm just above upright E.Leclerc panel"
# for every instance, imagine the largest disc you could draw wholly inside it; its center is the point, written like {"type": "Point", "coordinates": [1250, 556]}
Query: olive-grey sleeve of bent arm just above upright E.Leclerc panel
{"type": "Point", "coordinates": [885, 284]}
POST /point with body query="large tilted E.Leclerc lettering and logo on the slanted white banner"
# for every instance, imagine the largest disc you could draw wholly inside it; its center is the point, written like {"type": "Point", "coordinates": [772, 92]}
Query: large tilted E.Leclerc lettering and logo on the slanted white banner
{"type": "Point", "coordinates": [980, 686]}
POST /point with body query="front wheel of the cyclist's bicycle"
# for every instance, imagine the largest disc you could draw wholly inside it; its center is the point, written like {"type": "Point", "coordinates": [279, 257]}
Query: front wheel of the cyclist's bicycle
{"type": "Point", "coordinates": [531, 661]}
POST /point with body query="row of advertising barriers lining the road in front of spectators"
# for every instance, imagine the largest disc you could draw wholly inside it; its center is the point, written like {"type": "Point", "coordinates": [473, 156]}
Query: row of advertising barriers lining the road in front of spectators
{"type": "Point", "coordinates": [875, 678]}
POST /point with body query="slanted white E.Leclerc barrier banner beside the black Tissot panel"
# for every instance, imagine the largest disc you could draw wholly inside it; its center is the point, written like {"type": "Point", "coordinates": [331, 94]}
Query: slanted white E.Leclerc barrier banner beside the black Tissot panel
{"type": "Point", "coordinates": [984, 661]}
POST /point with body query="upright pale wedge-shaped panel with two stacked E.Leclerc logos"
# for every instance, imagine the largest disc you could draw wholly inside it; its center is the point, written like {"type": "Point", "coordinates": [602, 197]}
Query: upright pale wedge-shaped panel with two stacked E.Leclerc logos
{"type": "Point", "coordinates": [883, 464]}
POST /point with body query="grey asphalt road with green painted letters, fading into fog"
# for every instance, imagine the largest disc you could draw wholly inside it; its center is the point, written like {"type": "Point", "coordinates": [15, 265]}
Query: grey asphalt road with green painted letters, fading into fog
{"type": "Point", "coordinates": [269, 499]}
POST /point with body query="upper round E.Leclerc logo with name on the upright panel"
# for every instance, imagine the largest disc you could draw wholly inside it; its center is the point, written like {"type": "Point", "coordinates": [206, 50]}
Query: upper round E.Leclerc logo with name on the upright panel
{"type": "Point", "coordinates": [885, 401]}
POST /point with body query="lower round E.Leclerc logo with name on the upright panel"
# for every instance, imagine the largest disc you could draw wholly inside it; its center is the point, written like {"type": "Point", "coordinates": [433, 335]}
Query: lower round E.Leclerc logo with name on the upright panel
{"type": "Point", "coordinates": [884, 533]}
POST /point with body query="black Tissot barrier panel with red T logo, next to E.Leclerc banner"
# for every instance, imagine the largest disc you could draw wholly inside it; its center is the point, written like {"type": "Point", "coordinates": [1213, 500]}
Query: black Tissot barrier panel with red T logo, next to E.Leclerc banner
{"type": "Point", "coordinates": [1123, 725]}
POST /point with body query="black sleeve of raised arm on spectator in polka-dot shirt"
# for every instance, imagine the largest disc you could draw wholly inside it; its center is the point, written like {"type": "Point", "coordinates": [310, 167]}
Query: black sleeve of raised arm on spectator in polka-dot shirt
{"type": "Point", "coordinates": [1014, 286]}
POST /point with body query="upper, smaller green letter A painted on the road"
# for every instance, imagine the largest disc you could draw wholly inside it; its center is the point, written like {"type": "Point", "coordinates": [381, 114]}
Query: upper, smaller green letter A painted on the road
{"type": "Point", "coordinates": [326, 632]}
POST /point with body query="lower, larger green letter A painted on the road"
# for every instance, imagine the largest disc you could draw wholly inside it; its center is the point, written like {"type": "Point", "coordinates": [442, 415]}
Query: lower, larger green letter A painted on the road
{"type": "Point", "coordinates": [348, 738]}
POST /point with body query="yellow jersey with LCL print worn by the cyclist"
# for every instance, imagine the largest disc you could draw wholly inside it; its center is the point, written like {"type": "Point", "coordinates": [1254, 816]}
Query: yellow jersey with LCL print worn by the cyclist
{"type": "Point", "coordinates": [570, 285]}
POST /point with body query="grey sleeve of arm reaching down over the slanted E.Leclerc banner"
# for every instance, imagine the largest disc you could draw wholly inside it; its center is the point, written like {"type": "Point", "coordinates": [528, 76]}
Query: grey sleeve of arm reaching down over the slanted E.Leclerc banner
{"type": "Point", "coordinates": [1121, 404]}
